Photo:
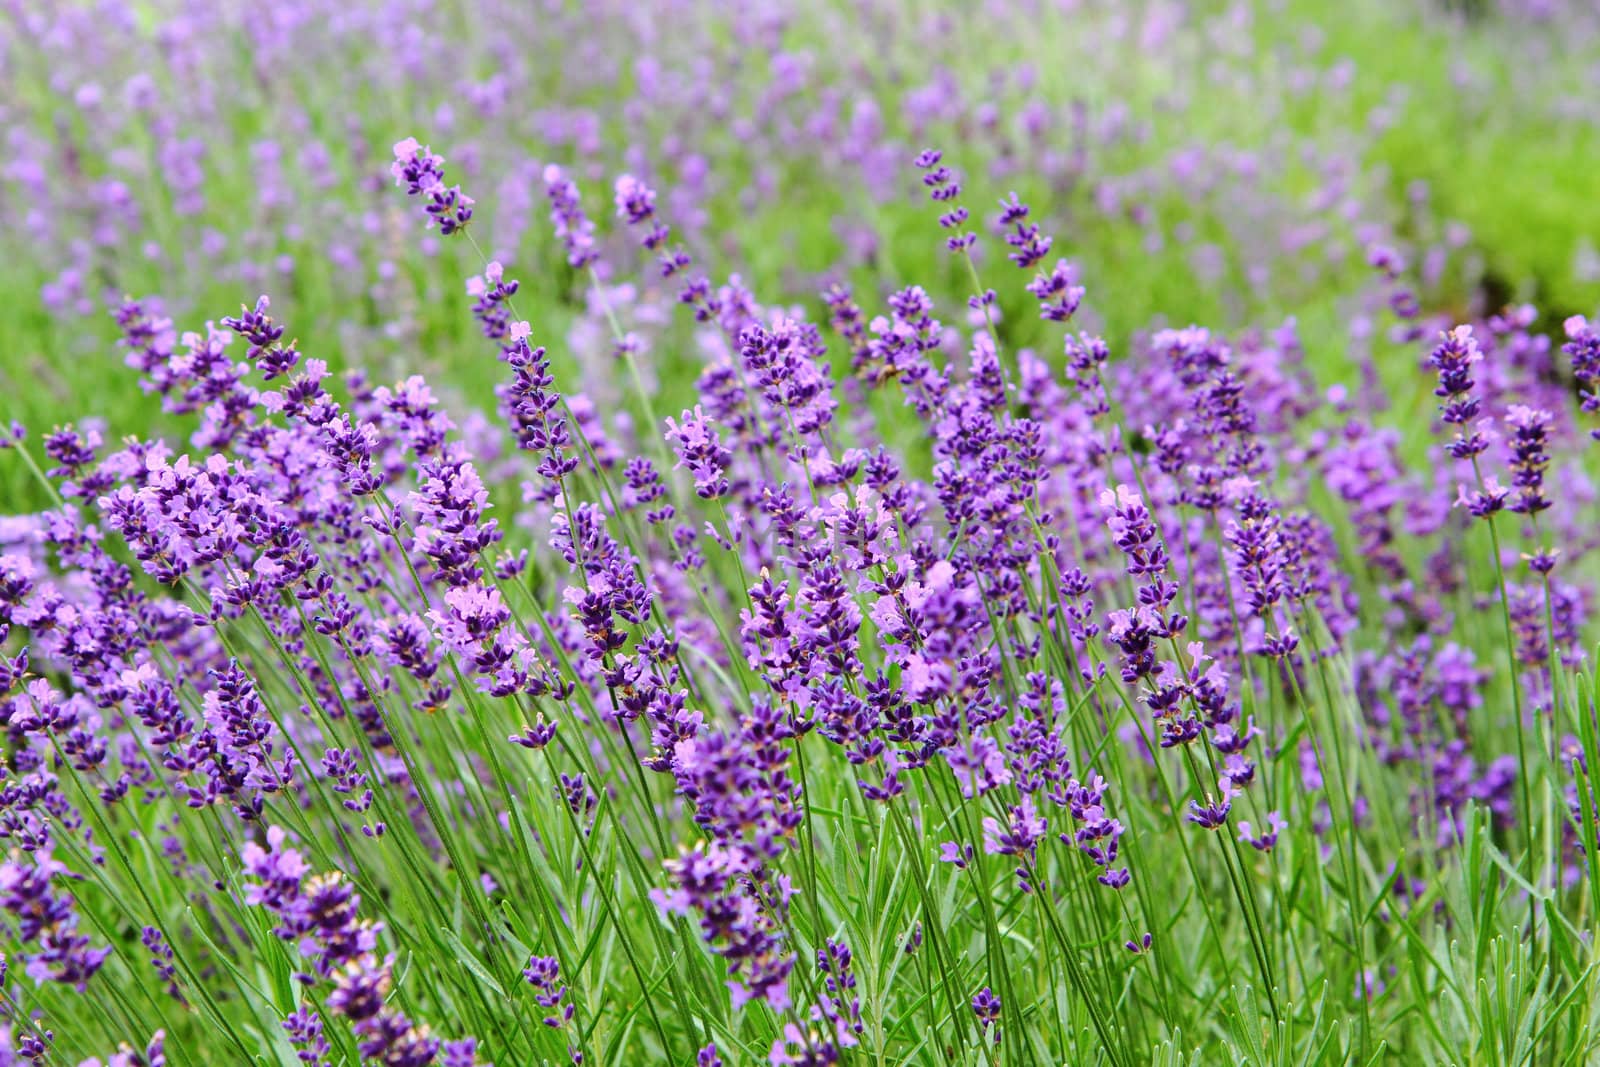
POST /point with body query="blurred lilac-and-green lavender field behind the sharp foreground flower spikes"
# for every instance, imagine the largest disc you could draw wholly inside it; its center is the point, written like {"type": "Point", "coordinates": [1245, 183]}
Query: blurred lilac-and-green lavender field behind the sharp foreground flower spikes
{"type": "Point", "coordinates": [1222, 164]}
